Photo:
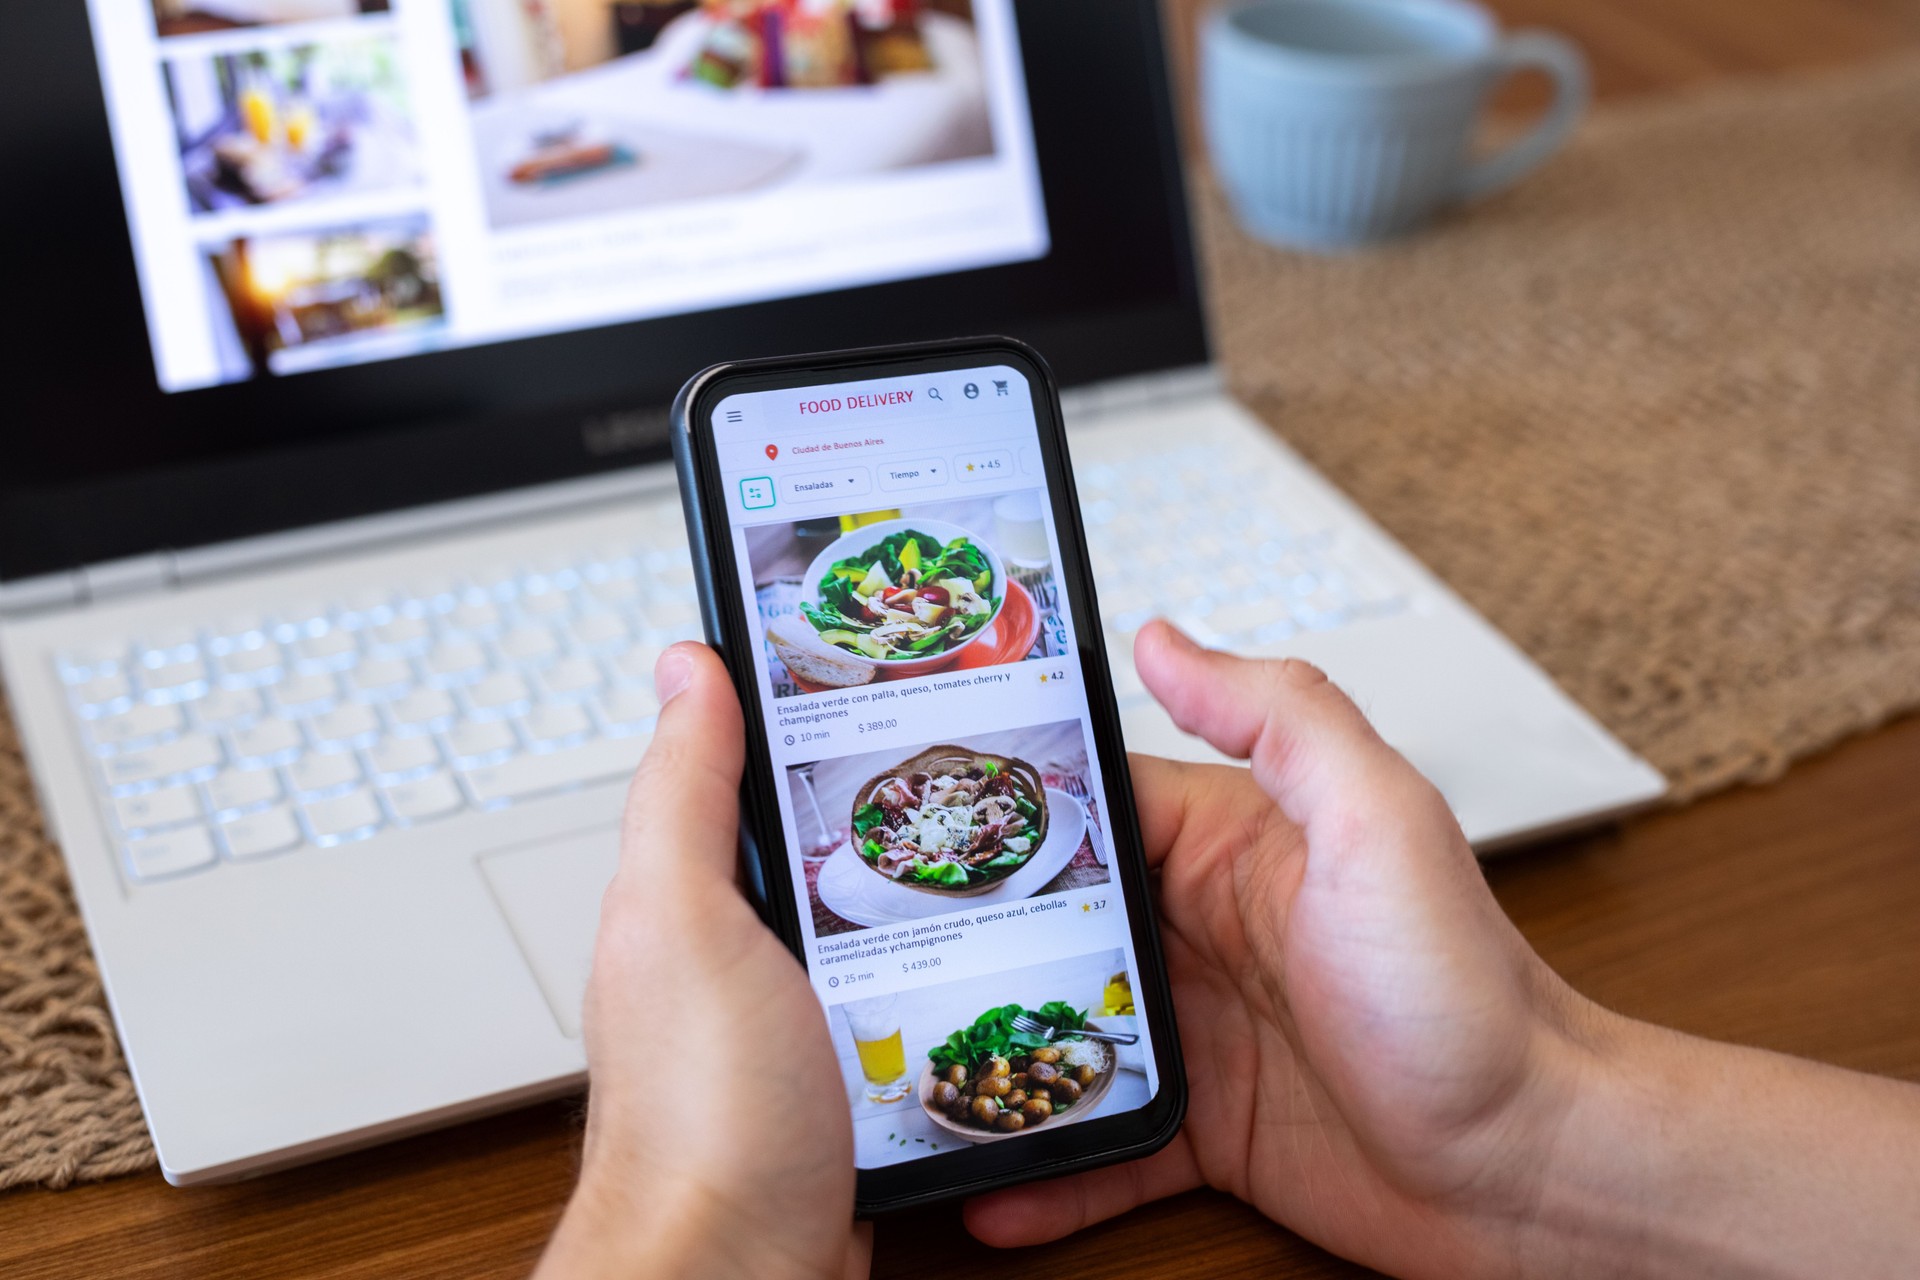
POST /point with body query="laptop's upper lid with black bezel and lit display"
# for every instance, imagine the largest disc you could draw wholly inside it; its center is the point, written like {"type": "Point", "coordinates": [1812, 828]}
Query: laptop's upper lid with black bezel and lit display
{"type": "Point", "coordinates": [297, 262]}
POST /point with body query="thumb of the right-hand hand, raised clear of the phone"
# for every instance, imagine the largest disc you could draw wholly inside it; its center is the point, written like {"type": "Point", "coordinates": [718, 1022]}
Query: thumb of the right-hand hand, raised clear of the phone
{"type": "Point", "coordinates": [1310, 747]}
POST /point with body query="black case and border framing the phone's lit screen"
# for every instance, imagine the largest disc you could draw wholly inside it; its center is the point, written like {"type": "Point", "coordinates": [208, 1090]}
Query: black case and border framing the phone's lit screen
{"type": "Point", "coordinates": [761, 849]}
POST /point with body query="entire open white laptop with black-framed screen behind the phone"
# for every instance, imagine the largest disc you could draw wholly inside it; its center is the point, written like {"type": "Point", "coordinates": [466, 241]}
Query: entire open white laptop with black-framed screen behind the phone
{"type": "Point", "coordinates": [337, 531]}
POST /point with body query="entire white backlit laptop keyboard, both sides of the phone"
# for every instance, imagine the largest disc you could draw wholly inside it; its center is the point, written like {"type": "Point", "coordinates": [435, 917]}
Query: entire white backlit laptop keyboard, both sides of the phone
{"type": "Point", "coordinates": [331, 723]}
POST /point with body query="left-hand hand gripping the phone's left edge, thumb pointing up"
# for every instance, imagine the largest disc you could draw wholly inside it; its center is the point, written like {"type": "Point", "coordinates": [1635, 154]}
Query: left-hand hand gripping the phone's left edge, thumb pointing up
{"type": "Point", "coordinates": [694, 1166]}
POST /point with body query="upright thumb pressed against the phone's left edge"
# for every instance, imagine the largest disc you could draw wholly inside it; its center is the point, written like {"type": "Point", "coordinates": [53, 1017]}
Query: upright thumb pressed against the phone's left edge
{"type": "Point", "coordinates": [684, 803]}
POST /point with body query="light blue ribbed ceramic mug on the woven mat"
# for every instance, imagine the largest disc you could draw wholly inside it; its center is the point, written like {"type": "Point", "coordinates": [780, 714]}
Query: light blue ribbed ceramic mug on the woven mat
{"type": "Point", "coordinates": [1335, 124]}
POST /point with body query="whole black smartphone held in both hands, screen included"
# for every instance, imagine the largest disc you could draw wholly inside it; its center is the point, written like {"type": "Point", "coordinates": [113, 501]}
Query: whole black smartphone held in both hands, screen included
{"type": "Point", "coordinates": [938, 815]}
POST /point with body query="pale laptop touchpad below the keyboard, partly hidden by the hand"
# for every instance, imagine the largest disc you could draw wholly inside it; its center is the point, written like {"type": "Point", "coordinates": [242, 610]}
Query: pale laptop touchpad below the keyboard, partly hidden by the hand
{"type": "Point", "coordinates": [550, 895]}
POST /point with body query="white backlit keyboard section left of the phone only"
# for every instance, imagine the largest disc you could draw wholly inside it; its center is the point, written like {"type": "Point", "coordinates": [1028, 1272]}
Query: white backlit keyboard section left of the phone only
{"type": "Point", "coordinates": [327, 724]}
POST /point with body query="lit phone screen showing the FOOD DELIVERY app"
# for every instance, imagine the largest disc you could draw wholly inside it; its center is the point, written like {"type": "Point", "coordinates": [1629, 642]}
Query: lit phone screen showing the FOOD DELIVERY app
{"type": "Point", "coordinates": [946, 813]}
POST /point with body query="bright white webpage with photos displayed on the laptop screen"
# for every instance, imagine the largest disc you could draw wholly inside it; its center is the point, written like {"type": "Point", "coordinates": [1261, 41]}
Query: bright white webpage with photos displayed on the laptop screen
{"type": "Point", "coordinates": [324, 183]}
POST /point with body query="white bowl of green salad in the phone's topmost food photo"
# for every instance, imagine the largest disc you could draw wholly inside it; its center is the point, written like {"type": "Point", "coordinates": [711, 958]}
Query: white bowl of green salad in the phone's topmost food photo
{"type": "Point", "coordinates": [896, 598]}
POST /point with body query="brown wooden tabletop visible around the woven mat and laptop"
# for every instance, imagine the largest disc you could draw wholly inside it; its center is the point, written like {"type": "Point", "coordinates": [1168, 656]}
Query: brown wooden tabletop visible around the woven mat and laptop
{"type": "Point", "coordinates": [1785, 916]}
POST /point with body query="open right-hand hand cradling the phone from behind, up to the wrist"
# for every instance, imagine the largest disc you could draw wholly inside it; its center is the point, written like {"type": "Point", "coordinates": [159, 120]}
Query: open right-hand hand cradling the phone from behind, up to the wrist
{"type": "Point", "coordinates": [1376, 1056]}
